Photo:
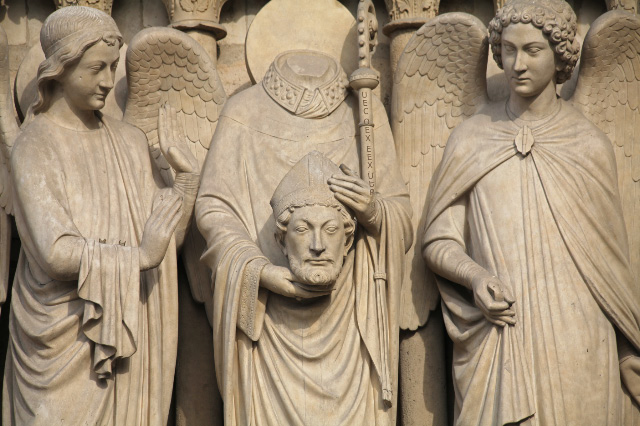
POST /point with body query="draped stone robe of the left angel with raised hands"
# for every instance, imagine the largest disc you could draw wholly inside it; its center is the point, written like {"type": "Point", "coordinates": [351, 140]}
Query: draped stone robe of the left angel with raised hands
{"type": "Point", "coordinates": [93, 339]}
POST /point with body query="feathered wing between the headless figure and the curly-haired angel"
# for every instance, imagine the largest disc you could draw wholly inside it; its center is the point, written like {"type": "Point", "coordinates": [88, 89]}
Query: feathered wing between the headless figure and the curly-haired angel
{"type": "Point", "coordinates": [440, 80]}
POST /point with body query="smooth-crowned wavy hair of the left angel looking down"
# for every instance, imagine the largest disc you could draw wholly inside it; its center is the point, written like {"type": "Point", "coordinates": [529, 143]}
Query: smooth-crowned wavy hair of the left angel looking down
{"type": "Point", "coordinates": [66, 34]}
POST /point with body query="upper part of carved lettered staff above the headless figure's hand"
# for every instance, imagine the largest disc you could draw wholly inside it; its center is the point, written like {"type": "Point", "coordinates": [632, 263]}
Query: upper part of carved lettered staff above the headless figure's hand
{"type": "Point", "coordinates": [364, 80]}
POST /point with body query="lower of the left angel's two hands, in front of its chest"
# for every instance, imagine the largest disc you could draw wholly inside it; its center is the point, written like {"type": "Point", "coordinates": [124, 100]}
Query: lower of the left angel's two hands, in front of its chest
{"type": "Point", "coordinates": [158, 230]}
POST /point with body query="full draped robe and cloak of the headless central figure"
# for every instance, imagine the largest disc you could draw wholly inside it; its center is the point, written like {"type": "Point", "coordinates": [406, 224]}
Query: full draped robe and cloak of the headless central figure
{"type": "Point", "coordinates": [256, 143]}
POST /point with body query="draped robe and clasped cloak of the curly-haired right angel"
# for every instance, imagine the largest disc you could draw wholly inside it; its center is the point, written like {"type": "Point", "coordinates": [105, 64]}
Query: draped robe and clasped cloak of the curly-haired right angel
{"type": "Point", "coordinates": [549, 225]}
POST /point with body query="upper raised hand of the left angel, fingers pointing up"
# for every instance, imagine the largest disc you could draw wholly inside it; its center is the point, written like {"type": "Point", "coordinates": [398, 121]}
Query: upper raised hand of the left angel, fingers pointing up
{"type": "Point", "coordinates": [173, 142]}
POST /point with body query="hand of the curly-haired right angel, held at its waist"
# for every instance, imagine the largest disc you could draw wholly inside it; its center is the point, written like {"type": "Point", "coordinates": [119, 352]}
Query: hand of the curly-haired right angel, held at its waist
{"type": "Point", "coordinates": [494, 300]}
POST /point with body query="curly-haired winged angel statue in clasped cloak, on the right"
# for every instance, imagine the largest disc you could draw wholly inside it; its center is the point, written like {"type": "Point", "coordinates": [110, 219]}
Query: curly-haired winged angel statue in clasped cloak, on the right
{"type": "Point", "coordinates": [524, 225]}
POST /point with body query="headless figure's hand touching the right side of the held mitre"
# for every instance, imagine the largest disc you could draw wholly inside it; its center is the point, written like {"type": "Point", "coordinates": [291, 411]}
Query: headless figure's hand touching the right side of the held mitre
{"type": "Point", "coordinates": [354, 193]}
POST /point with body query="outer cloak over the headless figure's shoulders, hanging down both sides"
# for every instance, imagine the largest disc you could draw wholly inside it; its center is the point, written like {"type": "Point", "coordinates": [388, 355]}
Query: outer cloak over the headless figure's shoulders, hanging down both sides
{"type": "Point", "coordinates": [256, 143]}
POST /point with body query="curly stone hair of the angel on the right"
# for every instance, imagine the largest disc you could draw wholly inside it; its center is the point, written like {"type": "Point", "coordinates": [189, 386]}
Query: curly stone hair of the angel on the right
{"type": "Point", "coordinates": [554, 18]}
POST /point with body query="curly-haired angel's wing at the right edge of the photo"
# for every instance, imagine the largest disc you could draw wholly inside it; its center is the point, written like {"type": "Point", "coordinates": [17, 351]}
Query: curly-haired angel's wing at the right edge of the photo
{"type": "Point", "coordinates": [608, 93]}
